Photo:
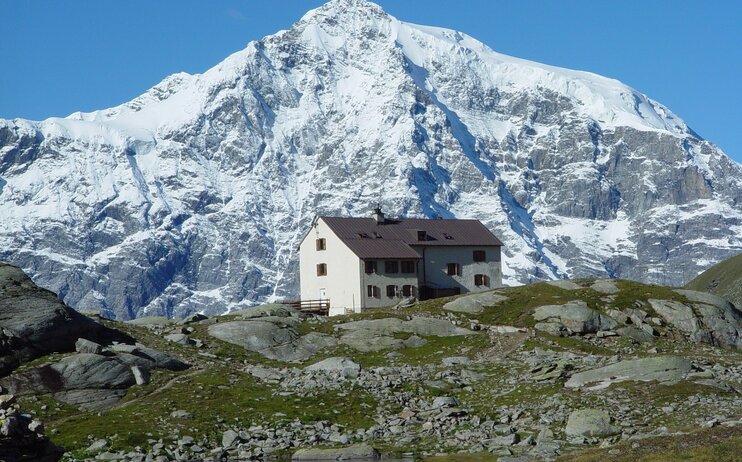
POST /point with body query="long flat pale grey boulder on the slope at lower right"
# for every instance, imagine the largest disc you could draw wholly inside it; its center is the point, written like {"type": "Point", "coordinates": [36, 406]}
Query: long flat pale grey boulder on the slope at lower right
{"type": "Point", "coordinates": [663, 369]}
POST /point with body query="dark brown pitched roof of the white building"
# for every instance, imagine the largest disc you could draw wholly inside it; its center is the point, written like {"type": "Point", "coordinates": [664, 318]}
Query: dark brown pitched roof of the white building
{"type": "Point", "coordinates": [392, 239]}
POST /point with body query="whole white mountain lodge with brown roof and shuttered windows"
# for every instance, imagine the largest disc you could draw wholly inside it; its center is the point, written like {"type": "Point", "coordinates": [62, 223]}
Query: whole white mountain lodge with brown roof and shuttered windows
{"type": "Point", "coordinates": [360, 263]}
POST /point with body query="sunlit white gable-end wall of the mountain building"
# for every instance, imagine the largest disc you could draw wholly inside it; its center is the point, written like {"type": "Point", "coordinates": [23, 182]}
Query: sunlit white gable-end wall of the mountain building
{"type": "Point", "coordinates": [341, 285]}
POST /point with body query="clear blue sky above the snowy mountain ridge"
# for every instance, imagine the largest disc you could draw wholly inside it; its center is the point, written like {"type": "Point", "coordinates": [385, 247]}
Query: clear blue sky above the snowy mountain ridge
{"type": "Point", "coordinates": [62, 56]}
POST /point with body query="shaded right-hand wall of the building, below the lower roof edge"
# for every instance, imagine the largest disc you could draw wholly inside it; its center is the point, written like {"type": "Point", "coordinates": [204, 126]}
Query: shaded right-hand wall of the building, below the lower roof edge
{"type": "Point", "coordinates": [438, 257]}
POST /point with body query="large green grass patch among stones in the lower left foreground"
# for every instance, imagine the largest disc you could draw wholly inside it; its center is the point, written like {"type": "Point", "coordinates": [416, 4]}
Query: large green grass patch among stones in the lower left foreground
{"type": "Point", "coordinates": [217, 399]}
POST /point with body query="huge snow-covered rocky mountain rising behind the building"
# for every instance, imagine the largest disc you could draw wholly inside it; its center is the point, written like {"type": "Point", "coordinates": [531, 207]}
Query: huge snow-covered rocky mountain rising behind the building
{"type": "Point", "coordinates": [194, 195]}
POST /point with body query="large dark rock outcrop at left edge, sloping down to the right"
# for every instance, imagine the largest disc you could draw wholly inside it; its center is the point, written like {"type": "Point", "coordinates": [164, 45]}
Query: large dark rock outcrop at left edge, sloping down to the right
{"type": "Point", "coordinates": [34, 322]}
